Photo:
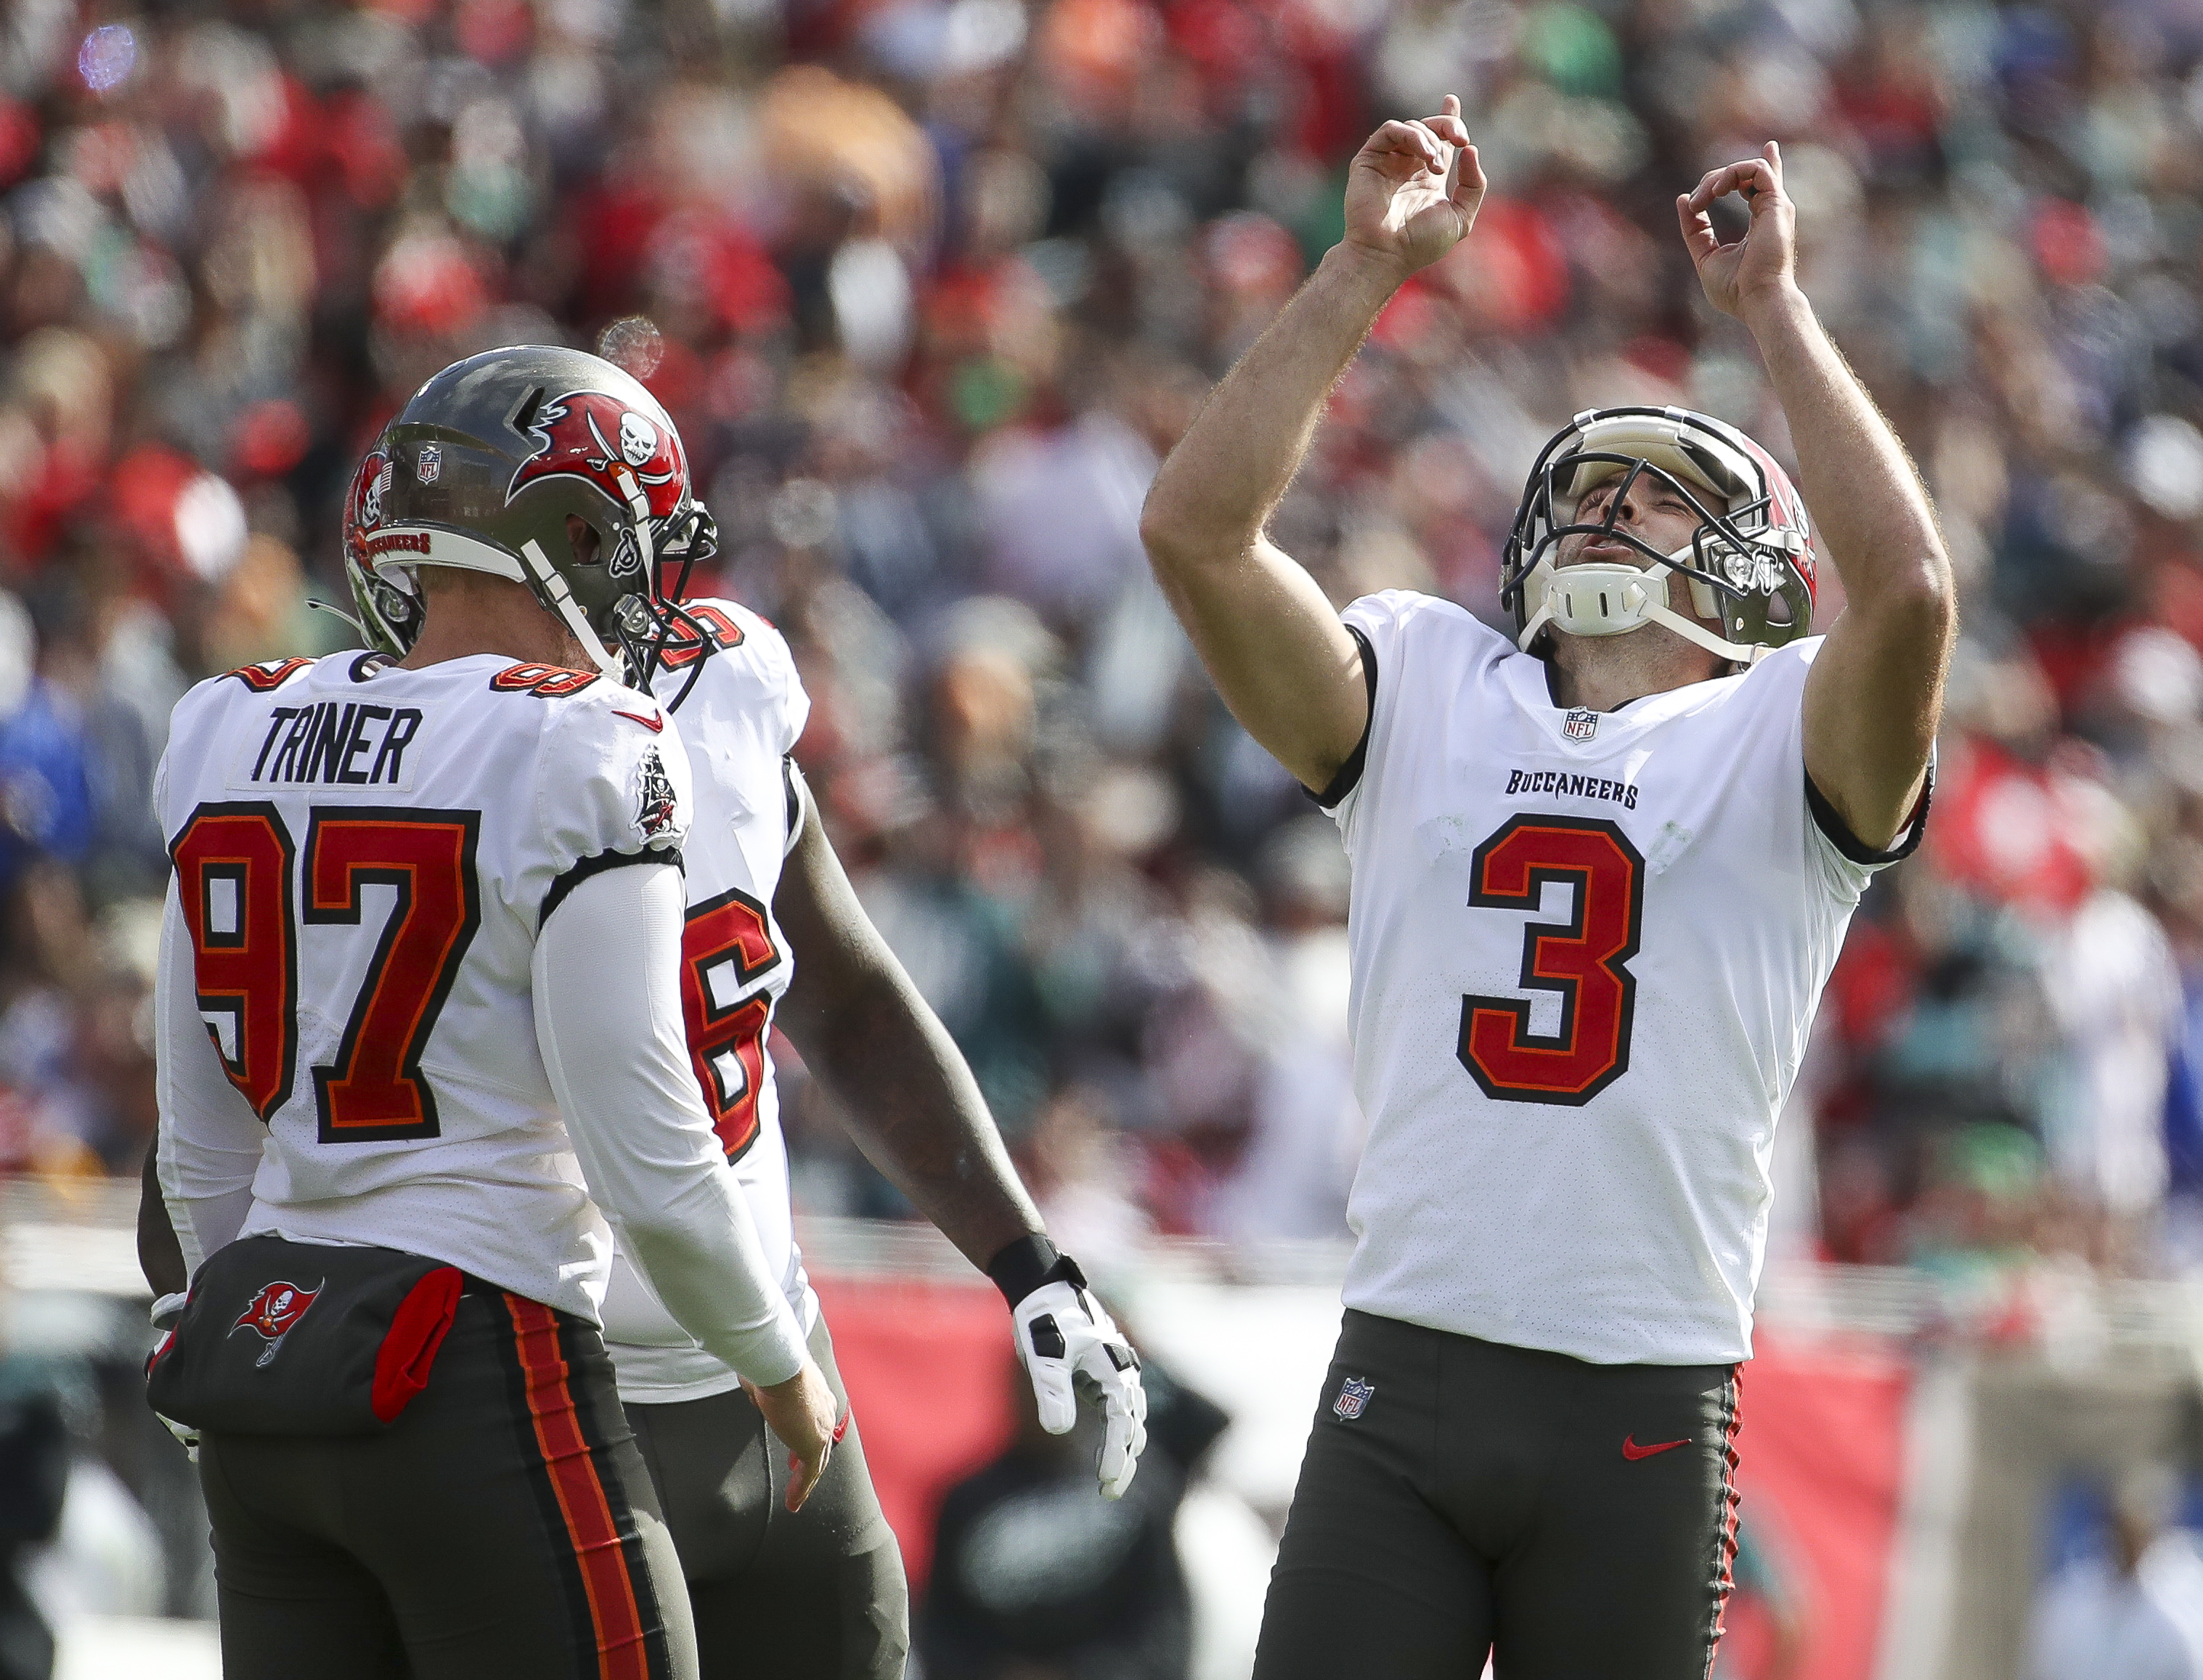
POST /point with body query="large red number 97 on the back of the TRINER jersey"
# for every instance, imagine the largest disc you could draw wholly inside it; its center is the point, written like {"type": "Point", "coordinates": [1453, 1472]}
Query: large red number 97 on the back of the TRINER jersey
{"type": "Point", "coordinates": [235, 886]}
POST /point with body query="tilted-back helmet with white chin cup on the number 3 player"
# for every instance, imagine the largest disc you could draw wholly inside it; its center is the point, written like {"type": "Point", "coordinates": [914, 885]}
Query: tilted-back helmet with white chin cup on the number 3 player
{"type": "Point", "coordinates": [1750, 563]}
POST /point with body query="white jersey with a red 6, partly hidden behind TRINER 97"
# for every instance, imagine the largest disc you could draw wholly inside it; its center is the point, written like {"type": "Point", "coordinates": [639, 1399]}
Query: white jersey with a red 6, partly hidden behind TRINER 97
{"type": "Point", "coordinates": [739, 721]}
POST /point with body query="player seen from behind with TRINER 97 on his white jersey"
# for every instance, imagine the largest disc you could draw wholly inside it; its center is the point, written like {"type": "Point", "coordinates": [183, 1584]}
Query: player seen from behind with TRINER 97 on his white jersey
{"type": "Point", "coordinates": [420, 1003]}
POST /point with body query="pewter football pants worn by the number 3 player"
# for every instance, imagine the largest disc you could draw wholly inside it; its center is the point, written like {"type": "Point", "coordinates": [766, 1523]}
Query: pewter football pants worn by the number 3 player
{"type": "Point", "coordinates": [1462, 1498]}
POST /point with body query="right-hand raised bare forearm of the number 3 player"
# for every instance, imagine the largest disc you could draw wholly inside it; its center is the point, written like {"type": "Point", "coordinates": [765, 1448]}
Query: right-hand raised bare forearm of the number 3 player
{"type": "Point", "coordinates": [1867, 499]}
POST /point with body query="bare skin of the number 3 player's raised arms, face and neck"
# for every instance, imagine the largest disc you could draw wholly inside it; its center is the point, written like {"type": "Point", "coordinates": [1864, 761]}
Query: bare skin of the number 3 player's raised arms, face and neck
{"type": "Point", "coordinates": [1274, 644]}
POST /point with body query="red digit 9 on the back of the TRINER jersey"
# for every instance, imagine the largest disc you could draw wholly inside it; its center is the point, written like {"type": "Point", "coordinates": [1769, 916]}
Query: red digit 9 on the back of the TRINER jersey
{"type": "Point", "coordinates": [221, 842]}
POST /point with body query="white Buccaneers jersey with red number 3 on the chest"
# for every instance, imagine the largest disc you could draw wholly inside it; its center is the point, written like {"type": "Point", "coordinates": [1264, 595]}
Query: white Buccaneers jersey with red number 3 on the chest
{"type": "Point", "coordinates": [1587, 950]}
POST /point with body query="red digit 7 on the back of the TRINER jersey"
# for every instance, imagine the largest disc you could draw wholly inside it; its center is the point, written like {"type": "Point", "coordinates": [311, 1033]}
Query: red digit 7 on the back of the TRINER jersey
{"type": "Point", "coordinates": [413, 968]}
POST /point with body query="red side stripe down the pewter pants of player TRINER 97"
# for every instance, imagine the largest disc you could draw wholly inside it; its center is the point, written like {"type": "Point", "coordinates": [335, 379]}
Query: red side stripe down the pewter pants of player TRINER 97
{"type": "Point", "coordinates": [580, 1494]}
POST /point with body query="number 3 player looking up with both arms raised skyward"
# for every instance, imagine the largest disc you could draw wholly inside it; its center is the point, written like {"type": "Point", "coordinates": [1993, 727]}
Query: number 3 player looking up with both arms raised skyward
{"type": "Point", "coordinates": [1600, 873]}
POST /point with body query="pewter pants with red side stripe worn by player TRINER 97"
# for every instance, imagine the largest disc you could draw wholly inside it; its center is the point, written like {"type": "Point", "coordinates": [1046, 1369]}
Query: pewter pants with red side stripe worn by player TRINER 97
{"type": "Point", "coordinates": [501, 1529]}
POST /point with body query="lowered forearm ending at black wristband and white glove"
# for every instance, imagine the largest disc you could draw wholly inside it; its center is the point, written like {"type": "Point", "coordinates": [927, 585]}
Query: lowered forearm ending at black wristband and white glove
{"type": "Point", "coordinates": [918, 1113]}
